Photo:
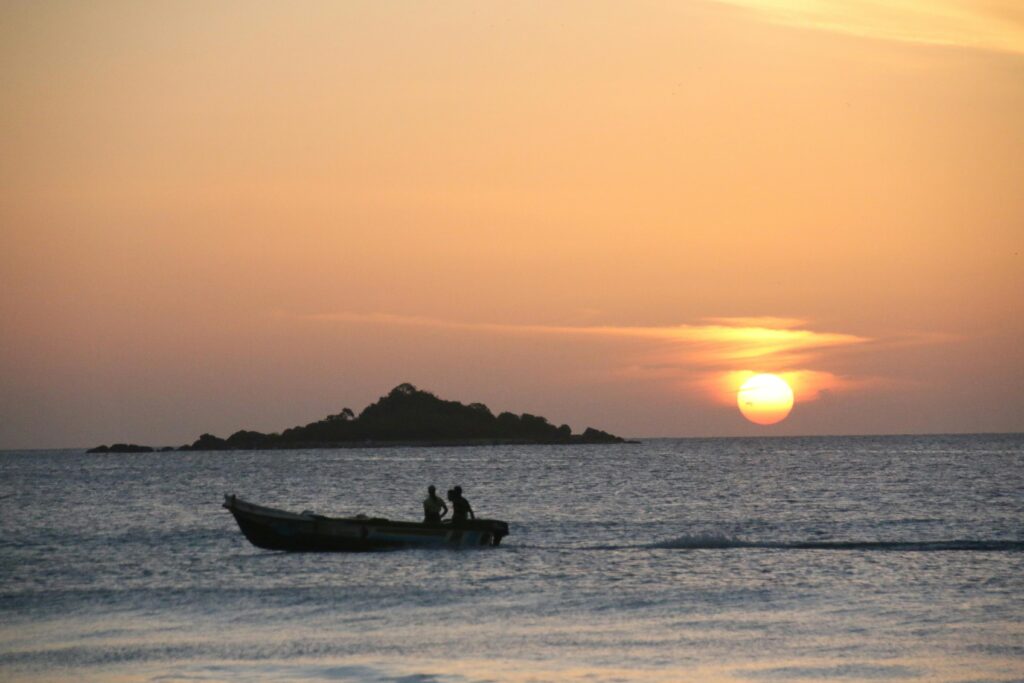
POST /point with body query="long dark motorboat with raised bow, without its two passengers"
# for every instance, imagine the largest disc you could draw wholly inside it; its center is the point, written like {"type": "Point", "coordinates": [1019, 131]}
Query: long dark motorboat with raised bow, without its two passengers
{"type": "Point", "coordinates": [307, 532]}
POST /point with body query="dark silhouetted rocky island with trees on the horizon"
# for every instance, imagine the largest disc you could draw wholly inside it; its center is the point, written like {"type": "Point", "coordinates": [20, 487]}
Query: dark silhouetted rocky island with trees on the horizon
{"type": "Point", "coordinates": [407, 416]}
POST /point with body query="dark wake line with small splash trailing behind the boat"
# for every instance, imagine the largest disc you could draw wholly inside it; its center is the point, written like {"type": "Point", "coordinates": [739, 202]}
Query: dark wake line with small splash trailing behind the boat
{"type": "Point", "coordinates": [715, 542]}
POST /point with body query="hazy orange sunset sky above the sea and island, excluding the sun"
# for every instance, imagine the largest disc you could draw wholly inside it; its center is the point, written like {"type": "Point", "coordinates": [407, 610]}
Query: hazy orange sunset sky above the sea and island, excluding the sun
{"type": "Point", "coordinates": [218, 217]}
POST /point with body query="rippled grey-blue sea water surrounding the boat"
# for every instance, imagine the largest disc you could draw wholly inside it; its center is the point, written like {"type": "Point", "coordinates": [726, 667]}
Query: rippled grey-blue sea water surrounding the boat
{"type": "Point", "coordinates": [810, 560]}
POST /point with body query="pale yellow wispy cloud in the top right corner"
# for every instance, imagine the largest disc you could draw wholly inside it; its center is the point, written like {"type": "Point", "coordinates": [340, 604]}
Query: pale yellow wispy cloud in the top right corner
{"type": "Point", "coordinates": [989, 25]}
